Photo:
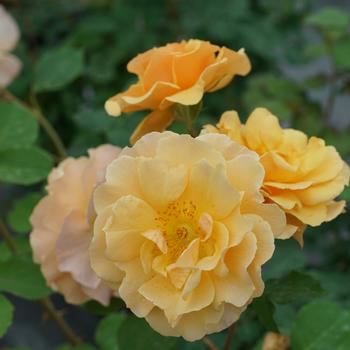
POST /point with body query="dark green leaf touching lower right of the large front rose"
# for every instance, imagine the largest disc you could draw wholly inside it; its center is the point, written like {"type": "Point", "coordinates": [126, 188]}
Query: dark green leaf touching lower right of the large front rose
{"type": "Point", "coordinates": [295, 285]}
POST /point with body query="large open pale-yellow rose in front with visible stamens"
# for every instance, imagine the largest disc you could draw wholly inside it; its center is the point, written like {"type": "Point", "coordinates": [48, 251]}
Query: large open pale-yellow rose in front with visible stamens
{"type": "Point", "coordinates": [181, 231]}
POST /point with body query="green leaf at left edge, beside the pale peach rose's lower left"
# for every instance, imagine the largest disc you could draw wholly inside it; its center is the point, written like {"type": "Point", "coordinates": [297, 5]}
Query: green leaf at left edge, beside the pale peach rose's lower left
{"type": "Point", "coordinates": [21, 277]}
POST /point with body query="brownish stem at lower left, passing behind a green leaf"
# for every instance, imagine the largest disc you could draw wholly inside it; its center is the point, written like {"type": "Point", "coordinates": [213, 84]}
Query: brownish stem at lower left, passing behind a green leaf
{"type": "Point", "coordinates": [45, 302]}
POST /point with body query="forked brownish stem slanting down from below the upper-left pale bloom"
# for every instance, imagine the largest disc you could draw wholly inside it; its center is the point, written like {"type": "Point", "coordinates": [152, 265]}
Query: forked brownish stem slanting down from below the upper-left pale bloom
{"type": "Point", "coordinates": [45, 124]}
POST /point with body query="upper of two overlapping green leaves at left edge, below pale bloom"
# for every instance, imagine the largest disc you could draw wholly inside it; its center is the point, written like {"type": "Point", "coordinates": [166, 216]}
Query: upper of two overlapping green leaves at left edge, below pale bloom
{"type": "Point", "coordinates": [18, 126]}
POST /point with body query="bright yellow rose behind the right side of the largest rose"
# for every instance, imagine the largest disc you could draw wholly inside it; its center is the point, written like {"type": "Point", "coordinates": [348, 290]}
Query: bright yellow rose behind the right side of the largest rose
{"type": "Point", "coordinates": [303, 176]}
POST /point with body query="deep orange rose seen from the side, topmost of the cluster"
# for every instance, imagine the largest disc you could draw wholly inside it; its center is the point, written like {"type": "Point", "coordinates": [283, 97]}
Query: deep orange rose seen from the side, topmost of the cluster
{"type": "Point", "coordinates": [175, 73]}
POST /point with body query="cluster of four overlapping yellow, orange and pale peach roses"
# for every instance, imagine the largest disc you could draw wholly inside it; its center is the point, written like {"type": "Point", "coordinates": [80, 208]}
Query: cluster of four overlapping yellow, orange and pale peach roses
{"type": "Point", "coordinates": [180, 226]}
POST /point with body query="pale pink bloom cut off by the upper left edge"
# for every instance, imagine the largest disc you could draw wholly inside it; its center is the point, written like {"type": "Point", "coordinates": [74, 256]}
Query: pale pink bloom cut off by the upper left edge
{"type": "Point", "coordinates": [9, 35]}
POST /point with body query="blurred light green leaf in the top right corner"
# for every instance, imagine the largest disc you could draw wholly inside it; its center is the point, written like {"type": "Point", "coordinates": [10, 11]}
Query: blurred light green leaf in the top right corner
{"type": "Point", "coordinates": [329, 18]}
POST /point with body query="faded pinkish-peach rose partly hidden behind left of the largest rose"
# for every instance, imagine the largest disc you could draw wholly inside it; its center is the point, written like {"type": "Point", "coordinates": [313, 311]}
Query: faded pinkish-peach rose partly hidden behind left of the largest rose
{"type": "Point", "coordinates": [62, 228]}
